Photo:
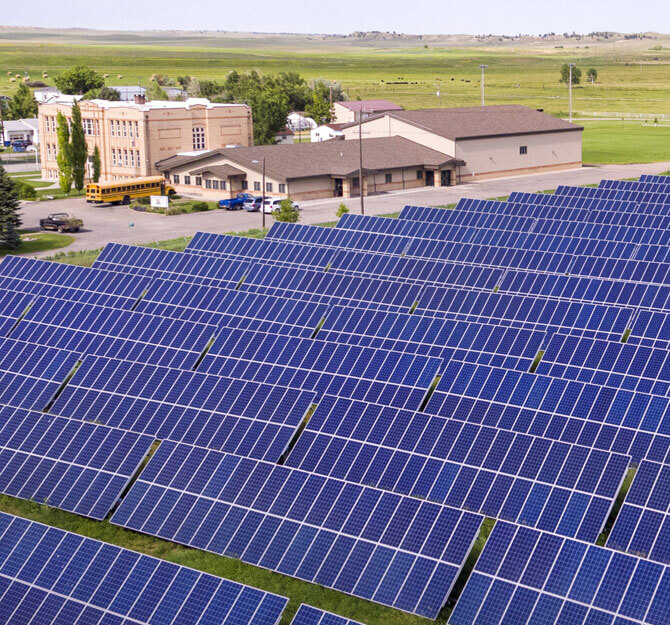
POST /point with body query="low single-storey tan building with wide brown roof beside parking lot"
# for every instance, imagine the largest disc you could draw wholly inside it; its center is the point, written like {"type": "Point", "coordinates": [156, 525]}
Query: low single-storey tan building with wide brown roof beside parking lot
{"type": "Point", "coordinates": [310, 170]}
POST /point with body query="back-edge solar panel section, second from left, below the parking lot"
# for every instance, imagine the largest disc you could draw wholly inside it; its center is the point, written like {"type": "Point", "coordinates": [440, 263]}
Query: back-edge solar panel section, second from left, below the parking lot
{"type": "Point", "coordinates": [155, 263]}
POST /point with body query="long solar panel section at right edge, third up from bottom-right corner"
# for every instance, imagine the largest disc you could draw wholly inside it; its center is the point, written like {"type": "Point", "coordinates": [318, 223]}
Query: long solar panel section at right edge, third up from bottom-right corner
{"type": "Point", "coordinates": [635, 424]}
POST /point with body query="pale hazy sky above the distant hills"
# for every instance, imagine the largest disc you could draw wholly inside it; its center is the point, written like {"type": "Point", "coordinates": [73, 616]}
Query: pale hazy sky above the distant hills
{"type": "Point", "coordinates": [508, 17]}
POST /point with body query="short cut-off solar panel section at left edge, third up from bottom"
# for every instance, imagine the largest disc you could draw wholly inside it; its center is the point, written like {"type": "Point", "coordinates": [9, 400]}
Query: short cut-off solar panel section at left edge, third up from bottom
{"type": "Point", "coordinates": [30, 375]}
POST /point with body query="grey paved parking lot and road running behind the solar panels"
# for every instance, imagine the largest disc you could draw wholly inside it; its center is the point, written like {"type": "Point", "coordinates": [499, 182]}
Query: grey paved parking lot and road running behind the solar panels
{"type": "Point", "coordinates": [120, 224]}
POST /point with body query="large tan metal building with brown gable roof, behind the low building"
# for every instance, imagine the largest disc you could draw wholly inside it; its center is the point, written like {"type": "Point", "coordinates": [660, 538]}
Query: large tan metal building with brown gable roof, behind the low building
{"type": "Point", "coordinates": [493, 141]}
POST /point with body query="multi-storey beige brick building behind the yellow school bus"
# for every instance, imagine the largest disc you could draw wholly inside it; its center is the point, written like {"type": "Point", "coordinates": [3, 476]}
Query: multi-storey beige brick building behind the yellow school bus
{"type": "Point", "coordinates": [133, 136]}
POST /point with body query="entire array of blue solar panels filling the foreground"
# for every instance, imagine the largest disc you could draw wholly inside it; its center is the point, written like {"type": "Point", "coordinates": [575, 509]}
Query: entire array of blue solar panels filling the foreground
{"type": "Point", "coordinates": [345, 406]}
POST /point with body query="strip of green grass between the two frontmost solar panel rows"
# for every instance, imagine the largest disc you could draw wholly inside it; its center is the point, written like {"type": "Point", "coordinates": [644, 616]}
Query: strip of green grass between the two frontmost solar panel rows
{"type": "Point", "coordinates": [296, 590]}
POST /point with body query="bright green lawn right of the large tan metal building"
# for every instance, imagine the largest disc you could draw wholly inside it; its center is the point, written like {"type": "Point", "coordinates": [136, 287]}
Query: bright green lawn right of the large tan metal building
{"type": "Point", "coordinates": [625, 142]}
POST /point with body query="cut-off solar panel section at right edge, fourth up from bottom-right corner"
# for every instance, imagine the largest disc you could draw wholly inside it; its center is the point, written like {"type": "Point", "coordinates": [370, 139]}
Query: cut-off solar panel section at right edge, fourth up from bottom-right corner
{"type": "Point", "coordinates": [607, 363]}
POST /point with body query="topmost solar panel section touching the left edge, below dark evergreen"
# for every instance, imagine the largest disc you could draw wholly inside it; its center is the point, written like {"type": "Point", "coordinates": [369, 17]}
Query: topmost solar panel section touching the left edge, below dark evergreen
{"type": "Point", "coordinates": [70, 282]}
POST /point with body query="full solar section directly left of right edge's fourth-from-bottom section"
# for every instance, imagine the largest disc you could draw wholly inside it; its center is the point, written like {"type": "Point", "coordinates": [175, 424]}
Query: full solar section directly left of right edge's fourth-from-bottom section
{"type": "Point", "coordinates": [444, 338]}
